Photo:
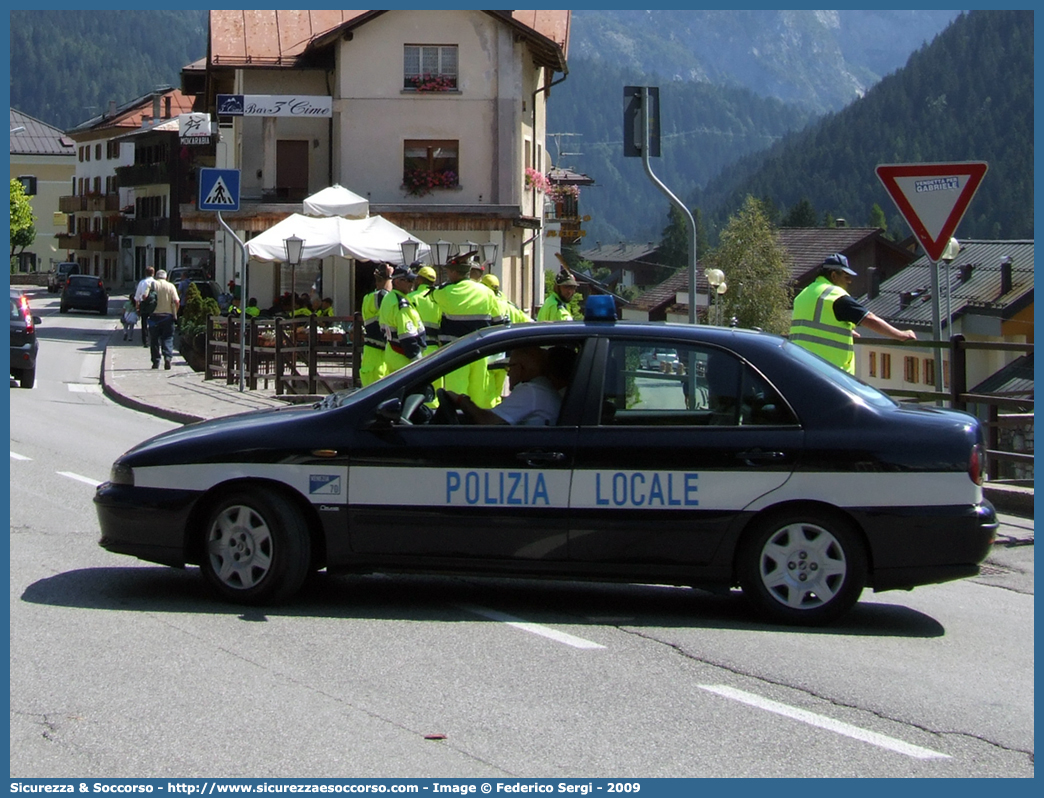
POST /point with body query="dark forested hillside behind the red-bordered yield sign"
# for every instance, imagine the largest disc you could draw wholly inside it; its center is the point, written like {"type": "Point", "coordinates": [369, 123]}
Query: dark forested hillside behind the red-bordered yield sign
{"type": "Point", "coordinates": [967, 97]}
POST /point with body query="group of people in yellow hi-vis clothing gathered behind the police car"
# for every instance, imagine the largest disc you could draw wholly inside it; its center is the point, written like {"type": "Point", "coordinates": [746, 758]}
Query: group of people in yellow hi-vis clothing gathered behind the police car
{"type": "Point", "coordinates": [408, 317]}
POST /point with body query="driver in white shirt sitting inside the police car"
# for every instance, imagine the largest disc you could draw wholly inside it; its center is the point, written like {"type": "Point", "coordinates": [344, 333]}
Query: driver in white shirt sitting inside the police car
{"type": "Point", "coordinates": [534, 401]}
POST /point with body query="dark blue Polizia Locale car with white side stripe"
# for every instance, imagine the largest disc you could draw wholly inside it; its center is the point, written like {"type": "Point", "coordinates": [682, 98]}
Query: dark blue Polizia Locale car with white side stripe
{"type": "Point", "coordinates": [742, 461]}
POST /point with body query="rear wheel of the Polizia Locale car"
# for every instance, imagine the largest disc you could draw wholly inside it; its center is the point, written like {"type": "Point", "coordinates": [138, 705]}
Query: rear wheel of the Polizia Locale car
{"type": "Point", "coordinates": [804, 568]}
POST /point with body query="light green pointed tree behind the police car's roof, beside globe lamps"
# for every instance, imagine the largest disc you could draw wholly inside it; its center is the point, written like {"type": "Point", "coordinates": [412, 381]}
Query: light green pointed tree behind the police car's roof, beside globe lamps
{"type": "Point", "coordinates": [756, 270]}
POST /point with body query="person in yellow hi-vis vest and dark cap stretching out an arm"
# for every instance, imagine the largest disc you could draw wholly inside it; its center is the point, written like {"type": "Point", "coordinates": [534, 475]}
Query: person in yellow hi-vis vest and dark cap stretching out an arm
{"type": "Point", "coordinates": [825, 317]}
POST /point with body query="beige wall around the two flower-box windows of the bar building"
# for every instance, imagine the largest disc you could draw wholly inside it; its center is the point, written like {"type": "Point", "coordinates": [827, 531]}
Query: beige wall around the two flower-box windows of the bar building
{"type": "Point", "coordinates": [490, 114]}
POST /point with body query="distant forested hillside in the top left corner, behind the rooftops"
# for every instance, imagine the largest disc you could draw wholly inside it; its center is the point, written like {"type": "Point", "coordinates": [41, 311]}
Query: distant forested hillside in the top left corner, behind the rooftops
{"type": "Point", "coordinates": [66, 66]}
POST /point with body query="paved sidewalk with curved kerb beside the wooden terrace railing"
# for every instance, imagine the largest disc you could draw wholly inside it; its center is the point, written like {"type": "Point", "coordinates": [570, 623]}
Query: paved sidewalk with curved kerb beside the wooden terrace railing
{"type": "Point", "coordinates": [181, 394]}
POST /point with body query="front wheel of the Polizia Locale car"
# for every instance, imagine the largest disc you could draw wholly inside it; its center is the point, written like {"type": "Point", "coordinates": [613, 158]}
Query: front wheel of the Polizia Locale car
{"type": "Point", "coordinates": [256, 549]}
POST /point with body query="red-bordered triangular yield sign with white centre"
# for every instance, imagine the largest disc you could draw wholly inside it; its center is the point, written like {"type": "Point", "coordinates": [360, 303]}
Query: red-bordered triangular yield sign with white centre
{"type": "Point", "coordinates": [933, 198]}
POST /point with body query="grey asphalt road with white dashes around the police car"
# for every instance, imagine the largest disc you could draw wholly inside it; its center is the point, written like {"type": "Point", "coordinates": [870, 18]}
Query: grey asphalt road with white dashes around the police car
{"type": "Point", "coordinates": [124, 669]}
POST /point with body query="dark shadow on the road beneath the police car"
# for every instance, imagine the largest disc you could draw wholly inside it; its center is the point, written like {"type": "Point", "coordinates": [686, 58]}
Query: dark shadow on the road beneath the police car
{"type": "Point", "coordinates": [438, 600]}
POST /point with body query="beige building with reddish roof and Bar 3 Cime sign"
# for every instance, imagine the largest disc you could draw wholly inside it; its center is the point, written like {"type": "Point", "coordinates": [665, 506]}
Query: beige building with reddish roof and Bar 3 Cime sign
{"type": "Point", "coordinates": [433, 116]}
